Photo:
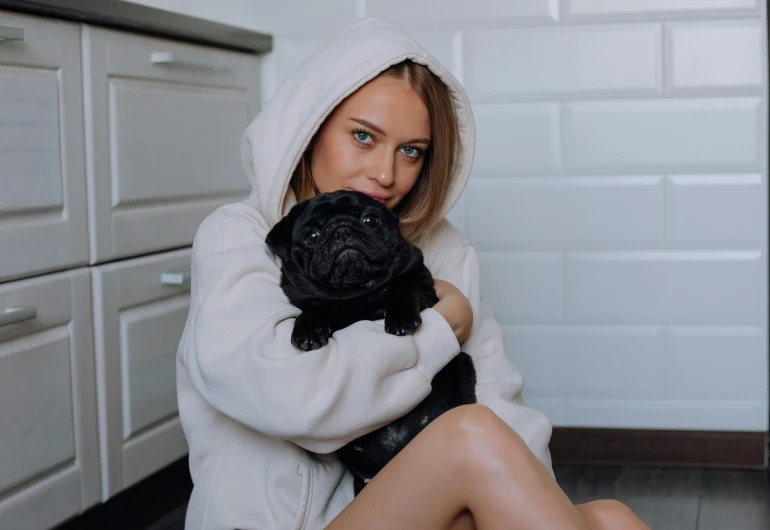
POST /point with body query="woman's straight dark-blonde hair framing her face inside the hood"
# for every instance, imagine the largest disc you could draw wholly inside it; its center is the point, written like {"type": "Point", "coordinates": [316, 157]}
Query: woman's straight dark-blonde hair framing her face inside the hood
{"type": "Point", "coordinates": [423, 205]}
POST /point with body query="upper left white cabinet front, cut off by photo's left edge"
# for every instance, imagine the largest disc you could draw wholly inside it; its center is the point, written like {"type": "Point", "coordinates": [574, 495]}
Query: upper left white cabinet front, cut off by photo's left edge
{"type": "Point", "coordinates": [42, 165]}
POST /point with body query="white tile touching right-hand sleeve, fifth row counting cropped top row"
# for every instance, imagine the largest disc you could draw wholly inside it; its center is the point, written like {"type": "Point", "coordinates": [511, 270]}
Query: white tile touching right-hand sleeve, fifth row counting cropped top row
{"type": "Point", "coordinates": [522, 286]}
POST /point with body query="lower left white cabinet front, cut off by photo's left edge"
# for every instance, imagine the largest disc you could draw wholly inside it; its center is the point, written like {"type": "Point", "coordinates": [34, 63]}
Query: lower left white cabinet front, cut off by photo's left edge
{"type": "Point", "coordinates": [49, 454]}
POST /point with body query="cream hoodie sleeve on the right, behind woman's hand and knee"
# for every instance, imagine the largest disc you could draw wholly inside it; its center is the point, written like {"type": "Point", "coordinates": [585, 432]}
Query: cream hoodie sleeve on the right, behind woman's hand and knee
{"type": "Point", "coordinates": [499, 382]}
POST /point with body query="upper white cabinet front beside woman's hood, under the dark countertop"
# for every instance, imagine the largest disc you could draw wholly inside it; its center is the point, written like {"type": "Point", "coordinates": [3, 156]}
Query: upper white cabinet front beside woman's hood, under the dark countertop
{"type": "Point", "coordinates": [165, 121]}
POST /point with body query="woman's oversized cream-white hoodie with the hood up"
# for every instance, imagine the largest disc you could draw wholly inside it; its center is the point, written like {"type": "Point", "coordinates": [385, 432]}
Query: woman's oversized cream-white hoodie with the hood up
{"type": "Point", "coordinates": [262, 418]}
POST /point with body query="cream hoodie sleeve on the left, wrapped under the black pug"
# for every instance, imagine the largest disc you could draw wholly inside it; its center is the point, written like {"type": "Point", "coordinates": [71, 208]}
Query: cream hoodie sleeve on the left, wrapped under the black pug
{"type": "Point", "coordinates": [238, 354]}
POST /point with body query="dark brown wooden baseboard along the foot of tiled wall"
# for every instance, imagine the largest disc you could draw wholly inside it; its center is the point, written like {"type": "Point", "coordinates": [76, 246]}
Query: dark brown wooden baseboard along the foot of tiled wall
{"type": "Point", "coordinates": [698, 449]}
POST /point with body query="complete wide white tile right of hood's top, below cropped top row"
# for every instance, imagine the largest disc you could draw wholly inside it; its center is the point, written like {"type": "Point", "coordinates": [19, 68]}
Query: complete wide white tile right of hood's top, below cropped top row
{"type": "Point", "coordinates": [606, 59]}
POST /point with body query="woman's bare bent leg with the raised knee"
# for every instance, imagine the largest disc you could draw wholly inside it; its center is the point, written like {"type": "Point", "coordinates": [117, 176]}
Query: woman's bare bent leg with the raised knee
{"type": "Point", "coordinates": [468, 460]}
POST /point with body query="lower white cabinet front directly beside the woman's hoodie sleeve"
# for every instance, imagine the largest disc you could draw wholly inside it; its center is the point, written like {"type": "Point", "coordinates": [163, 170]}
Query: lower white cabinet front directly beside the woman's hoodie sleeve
{"type": "Point", "coordinates": [138, 321]}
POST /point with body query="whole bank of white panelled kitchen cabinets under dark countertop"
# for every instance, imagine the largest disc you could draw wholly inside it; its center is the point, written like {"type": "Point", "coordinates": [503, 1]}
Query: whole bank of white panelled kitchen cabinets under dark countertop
{"type": "Point", "coordinates": [114, 146]}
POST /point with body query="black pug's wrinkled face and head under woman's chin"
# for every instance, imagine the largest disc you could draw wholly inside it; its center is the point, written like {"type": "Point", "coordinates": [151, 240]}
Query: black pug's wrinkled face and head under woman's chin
{"type": "Point", "coordinates": [338, 241]}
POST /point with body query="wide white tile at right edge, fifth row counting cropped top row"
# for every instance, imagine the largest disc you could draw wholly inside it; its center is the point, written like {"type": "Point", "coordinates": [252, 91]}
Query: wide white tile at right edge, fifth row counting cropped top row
{"type": "Point", "coordinates": [674, 287]}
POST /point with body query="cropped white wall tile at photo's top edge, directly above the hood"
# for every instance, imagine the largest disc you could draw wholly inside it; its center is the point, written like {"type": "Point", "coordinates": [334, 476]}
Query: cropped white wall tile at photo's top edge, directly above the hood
{"type": "Point", "coordinates": [461, 13]}
